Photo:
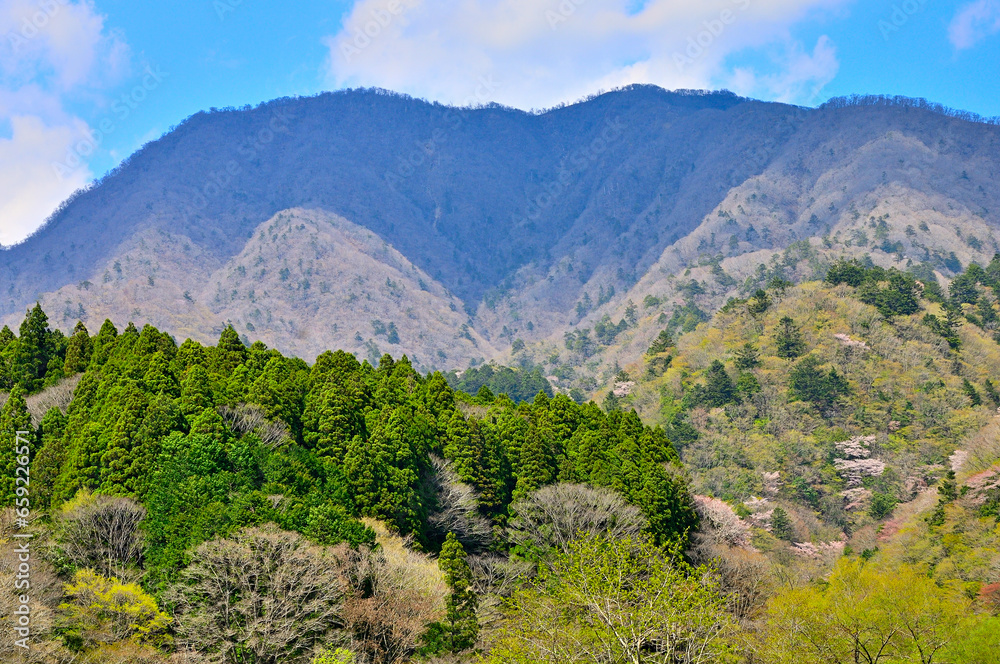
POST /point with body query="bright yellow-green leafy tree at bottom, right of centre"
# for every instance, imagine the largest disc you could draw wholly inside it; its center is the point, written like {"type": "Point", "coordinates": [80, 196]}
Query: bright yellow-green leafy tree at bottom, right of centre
{"type": "Point", "coordinates": [607, 601]}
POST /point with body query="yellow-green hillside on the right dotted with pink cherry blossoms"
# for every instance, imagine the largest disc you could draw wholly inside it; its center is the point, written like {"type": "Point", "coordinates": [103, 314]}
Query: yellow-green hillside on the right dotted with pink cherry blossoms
{"type": "Point", "coordinates": [832, 410]}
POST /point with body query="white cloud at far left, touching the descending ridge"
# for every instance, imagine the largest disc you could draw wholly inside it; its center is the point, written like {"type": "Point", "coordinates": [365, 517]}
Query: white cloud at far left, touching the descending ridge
{"type": "Point", "coordinates": [53, 53]}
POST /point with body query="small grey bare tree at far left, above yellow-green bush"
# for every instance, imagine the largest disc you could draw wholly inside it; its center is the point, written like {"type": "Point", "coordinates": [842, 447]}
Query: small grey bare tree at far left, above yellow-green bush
{"type": "Point", "coordinates": [102, 533]}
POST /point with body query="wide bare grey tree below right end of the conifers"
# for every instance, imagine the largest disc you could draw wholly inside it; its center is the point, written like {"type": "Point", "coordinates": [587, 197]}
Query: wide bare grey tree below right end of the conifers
{"type": "Point", "coordinates": [555, 515]}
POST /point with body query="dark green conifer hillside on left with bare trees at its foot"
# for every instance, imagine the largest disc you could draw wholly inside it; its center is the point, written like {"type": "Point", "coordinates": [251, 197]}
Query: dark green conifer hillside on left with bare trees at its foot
{"type": "Point", "coordinates": [169, 455]}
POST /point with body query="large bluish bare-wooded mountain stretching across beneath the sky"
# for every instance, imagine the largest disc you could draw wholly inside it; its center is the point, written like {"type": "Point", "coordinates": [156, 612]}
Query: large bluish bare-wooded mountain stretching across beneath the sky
{"type": "Point", "coordinates": [493, 205]}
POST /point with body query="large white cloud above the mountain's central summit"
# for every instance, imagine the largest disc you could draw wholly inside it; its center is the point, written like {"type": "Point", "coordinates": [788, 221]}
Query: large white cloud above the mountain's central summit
{"type": "Point", "coordinates": [544, 52]}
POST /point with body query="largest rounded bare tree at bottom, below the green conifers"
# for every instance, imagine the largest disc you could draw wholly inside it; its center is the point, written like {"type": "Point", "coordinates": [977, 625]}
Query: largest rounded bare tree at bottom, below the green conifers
{"type": "Point", "coordinates": [264, 596]}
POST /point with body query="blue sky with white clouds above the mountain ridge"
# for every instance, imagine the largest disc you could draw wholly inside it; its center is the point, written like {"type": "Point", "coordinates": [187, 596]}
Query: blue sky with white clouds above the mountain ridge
{"type": "Point", "coordinates": [84, 83]}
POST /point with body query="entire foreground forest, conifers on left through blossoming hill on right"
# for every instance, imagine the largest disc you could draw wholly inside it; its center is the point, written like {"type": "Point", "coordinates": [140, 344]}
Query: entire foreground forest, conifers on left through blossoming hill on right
{"type": "Point", "coordinates": [823, 488]}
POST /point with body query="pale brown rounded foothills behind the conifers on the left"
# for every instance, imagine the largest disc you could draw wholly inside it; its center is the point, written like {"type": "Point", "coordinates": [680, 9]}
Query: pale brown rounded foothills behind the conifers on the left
{"type": "Point", "coordinates": [305, 281]}
